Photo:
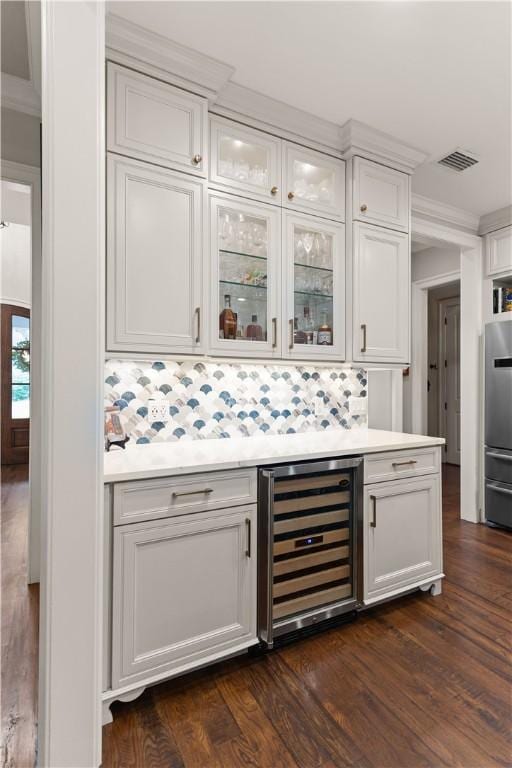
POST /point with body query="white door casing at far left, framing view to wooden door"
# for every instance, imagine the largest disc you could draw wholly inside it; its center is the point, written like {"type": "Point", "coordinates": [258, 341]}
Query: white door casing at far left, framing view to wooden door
{"type": "Point", "coordinates": [31, 176]}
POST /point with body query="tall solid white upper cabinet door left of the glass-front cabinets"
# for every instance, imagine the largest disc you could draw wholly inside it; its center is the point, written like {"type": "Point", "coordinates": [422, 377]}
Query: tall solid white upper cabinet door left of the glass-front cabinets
{"type": "Point", "coordinates": [155, 231]}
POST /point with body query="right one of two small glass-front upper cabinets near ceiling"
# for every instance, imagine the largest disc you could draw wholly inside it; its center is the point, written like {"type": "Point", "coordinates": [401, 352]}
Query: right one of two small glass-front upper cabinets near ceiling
{"type": "Point", "coordinates": [313, 182]}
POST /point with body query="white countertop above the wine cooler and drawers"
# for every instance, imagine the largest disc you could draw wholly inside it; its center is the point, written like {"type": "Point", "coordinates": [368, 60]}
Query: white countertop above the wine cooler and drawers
{"type": "Point", "coordinates": [161, 459]}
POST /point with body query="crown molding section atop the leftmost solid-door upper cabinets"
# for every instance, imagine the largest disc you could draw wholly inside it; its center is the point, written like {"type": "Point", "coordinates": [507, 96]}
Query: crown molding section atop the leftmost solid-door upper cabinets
{"type": "Point", "coordinates": [164, 58]}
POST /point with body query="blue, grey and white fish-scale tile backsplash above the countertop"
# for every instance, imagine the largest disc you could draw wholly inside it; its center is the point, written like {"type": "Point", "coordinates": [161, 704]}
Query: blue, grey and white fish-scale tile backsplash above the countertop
{"type": "Point", "coordinates": [221, 400]}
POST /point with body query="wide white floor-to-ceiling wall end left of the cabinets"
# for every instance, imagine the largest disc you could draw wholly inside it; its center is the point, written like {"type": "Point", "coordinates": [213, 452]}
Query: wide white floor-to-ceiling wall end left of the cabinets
{"type": "Point", "coordinates": [70, 668]}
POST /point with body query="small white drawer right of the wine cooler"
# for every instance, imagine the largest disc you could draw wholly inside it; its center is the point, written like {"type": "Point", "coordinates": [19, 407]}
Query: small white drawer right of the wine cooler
{"type": "Point", "coordinates": [391, 466]}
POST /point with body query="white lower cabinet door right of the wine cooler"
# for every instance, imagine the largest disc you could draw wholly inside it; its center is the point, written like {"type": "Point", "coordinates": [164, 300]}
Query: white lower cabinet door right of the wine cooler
{"type": "Point", "coordinates": [402, 535]}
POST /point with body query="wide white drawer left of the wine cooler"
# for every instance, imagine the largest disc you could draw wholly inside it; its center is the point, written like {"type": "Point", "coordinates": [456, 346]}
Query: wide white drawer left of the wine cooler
{"type": "Point", "coordinates": [154, 499]}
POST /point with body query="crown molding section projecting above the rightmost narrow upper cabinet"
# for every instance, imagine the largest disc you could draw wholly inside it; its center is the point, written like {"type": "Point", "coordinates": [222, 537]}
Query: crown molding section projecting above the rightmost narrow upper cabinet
{"type": "Point", "coordinates": [360, 139]}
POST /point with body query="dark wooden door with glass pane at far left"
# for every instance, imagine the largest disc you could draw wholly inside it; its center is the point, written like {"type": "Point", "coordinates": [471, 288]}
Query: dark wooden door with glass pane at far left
{"type": "Point", "coordinates": [15, 346]}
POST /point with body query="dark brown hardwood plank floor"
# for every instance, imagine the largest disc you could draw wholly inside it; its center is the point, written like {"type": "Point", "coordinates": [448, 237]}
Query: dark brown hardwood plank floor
{"type": "Point", "coordinates": [421, 681]}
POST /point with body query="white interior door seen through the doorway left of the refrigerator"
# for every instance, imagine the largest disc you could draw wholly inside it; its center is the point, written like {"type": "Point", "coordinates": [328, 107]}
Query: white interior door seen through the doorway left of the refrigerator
{"type": "Point", "coordinates": [450, 378]}
